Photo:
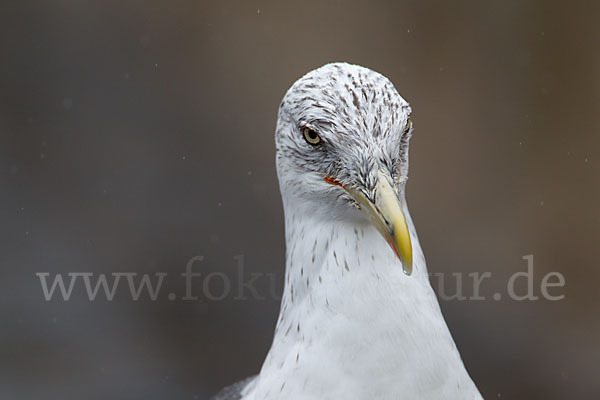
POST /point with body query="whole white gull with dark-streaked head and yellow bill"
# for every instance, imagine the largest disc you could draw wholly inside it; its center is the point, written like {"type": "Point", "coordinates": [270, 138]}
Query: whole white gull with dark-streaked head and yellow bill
{"type": "Point", "coordinates": [359, 318]}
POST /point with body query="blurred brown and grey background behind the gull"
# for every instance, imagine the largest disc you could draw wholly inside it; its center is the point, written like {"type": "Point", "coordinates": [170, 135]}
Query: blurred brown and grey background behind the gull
{"type": "Point", "coordinates": [136, 135]}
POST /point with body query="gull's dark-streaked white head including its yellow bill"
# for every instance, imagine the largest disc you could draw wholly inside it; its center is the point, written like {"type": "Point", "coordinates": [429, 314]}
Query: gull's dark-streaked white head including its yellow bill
{"type": "Point", "coordinates": [342, 150]}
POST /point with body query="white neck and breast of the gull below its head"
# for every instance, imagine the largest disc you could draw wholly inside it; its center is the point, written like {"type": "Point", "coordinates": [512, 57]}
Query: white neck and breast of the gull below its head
{"type": "Point", "coordinates": [352, 325]}
